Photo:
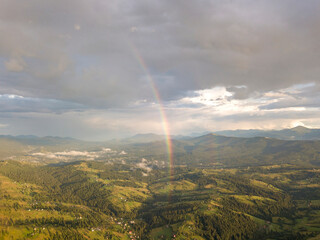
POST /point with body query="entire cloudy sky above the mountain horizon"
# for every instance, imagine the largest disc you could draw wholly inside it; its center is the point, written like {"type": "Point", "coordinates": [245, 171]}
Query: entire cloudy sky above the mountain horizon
{"type": "Point", "coordinates": [96, 69]}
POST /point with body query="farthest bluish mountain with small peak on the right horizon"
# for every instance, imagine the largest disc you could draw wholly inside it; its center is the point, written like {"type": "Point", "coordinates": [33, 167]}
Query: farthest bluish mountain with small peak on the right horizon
{"type": "Point", "coordinates": [297, 133]}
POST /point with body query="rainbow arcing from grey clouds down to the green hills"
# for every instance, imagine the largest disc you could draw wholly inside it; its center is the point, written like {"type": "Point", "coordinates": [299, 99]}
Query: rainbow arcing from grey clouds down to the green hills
{"type": "Point", "coordinates": [164, 120]}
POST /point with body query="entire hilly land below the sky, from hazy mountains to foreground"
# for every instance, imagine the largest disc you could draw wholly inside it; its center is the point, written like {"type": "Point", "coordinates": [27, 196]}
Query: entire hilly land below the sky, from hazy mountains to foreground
{"type": "Point", "coordinates": [217, 188]}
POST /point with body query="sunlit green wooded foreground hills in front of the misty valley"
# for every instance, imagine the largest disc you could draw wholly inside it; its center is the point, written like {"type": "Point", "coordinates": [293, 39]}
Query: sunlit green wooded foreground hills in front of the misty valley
{"type": "Point", "coordinates": [96, 200]}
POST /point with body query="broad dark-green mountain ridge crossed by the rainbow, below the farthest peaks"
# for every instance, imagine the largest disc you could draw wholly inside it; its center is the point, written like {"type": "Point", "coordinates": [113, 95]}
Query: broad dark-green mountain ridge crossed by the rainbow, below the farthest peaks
{"type": "Point", "coordinates": [212, 149]}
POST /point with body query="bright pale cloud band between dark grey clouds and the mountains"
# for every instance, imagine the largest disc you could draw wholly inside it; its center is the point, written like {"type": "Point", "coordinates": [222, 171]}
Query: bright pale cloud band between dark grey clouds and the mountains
{"type": "Point", "coordinates": [205, 110]}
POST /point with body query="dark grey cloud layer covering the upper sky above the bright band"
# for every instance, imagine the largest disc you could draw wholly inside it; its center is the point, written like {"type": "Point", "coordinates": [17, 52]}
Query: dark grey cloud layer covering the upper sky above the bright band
{"type": "Point", "coordinates": [81, 51]}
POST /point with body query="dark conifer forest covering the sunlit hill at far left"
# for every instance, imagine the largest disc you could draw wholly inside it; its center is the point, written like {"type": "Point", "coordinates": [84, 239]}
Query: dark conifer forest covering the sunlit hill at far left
{"type": "Point", "coordinates": [62, 184]}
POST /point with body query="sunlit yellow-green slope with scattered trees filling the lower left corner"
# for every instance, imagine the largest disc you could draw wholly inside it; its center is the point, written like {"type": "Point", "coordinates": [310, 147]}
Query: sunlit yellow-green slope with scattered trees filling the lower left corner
{"type": "Point", "coordinates": [66, 202]}
